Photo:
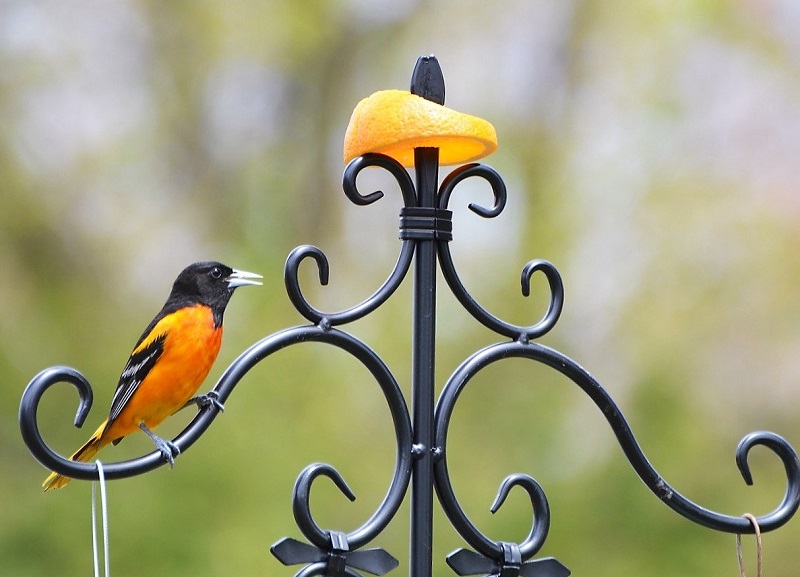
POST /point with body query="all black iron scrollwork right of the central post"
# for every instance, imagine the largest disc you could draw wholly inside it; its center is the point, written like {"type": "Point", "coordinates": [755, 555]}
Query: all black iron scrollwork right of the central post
{"type": "Point", "coordinates": [498, 558]}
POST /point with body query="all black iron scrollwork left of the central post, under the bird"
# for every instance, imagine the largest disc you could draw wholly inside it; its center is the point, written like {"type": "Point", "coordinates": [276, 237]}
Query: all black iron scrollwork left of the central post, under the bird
{"type": "Point", "coordinates": [330, 552]}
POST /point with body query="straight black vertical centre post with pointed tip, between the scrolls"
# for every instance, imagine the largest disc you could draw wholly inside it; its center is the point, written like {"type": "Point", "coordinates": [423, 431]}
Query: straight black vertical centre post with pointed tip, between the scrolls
{"type": "Point", "coordinates": [426, 81]}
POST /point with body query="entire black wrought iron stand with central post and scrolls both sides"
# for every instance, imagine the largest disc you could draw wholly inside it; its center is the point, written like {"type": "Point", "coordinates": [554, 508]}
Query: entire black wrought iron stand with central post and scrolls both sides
{"type": "Point", "coordinates": [421, 435]}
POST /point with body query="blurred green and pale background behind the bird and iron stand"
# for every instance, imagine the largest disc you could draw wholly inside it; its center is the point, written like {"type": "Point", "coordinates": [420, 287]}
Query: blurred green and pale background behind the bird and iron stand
{"type": "Point", "coordinates": [650, 150]}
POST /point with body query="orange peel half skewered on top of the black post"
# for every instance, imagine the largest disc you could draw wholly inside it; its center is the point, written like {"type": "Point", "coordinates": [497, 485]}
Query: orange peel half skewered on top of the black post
{"type": "Point", "coordinates": [395, 122]}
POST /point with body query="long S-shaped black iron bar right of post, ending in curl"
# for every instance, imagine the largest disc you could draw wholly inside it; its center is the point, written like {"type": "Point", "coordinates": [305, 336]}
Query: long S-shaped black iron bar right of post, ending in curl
{"type": "Point", "coordinates": [570, 369]}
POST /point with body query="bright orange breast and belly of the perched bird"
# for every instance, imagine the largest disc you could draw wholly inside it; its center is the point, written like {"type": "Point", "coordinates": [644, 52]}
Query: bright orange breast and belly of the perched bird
{"type": "Point", "coordinates": [190, 348]}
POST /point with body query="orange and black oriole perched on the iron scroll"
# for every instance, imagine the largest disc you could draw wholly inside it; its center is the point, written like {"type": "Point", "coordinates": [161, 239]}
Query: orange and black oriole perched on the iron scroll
{"type": "Point", "coordinates": [169, 362]}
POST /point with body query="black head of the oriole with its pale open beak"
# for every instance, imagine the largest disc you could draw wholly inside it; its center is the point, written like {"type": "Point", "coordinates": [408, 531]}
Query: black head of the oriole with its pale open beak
{"type": "Point", "coordinates": [210, 283]}
